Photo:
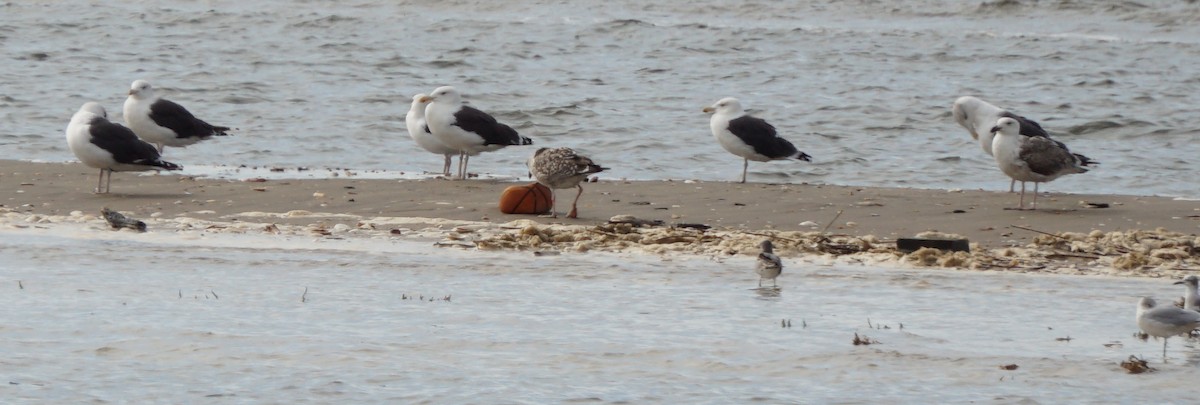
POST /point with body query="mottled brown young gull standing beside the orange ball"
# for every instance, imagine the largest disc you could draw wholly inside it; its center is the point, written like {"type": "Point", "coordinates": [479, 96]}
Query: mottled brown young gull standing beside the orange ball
{"type": "Point", "coordinates": [562, 168]}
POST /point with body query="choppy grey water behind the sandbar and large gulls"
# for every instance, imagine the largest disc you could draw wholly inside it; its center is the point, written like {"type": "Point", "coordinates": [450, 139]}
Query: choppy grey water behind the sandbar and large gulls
{"type": "Point", "coordinates": [865, 87]}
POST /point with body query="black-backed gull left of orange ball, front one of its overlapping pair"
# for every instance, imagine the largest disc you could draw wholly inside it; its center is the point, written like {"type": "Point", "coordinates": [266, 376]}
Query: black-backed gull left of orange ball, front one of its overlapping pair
{"type": "Point", "coordinates": [466, 130]}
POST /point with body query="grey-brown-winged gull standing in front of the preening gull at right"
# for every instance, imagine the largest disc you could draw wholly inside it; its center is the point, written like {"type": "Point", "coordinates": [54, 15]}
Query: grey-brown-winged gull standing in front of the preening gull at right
{"type": "Point", "coordinates": [1031, 159]}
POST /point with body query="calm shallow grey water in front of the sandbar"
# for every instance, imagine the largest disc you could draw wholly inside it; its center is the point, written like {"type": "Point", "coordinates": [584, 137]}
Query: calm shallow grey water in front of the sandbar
{"type": "Point", "coordinates": [101, 317]}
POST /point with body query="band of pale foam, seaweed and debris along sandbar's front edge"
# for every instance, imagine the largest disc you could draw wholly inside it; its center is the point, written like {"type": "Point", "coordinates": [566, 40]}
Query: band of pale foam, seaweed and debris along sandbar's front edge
{"type": "Point", "coordinates": [1138, 253]}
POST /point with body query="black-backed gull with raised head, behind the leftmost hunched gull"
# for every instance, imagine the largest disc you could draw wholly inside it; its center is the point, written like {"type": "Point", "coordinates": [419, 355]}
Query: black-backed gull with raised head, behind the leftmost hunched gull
{"type": "Point", "coordinates": [163, 123]}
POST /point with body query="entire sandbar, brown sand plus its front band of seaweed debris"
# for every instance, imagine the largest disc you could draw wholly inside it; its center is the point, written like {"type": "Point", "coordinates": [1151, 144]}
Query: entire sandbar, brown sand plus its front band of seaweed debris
{"type": "Point", "coordinates": [860, 220]}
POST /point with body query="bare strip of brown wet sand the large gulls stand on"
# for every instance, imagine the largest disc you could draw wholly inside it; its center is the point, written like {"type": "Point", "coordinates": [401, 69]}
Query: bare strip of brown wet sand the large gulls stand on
{"type": "Point", "coordinates": [983, 217]}
